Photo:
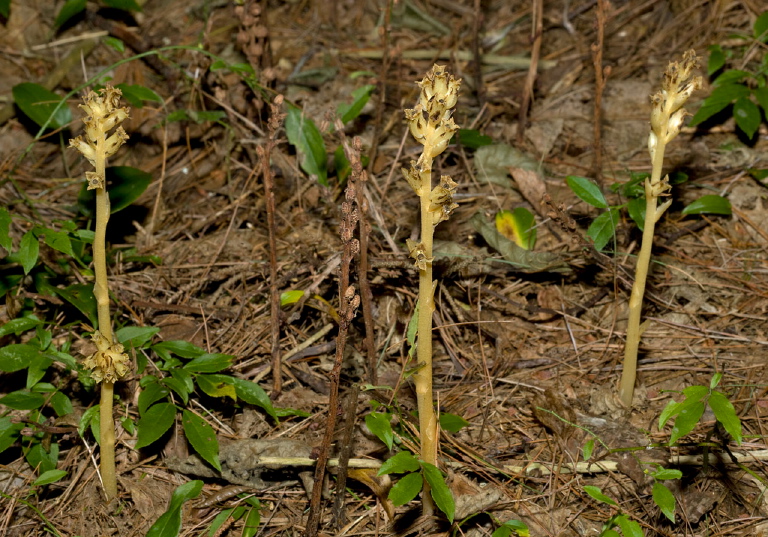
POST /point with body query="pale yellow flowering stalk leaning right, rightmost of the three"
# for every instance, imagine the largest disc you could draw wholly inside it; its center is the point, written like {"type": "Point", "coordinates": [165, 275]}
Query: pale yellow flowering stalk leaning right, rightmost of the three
{"type": "Point", "coordinates": [667, 117]}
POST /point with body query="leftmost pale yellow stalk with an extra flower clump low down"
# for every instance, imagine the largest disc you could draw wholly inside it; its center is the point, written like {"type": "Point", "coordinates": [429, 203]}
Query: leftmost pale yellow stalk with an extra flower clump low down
{"type": "Point", "coordinates": [109, 362]}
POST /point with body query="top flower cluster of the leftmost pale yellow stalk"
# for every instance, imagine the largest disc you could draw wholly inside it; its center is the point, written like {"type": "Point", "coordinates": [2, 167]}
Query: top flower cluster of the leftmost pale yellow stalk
{"type": "Point", "coordinates": [103, 114]}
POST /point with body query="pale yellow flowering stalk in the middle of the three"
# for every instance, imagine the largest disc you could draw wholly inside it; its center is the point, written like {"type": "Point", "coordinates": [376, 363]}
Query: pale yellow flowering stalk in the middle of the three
{"type": "Point", "coordinates": [431, 125]}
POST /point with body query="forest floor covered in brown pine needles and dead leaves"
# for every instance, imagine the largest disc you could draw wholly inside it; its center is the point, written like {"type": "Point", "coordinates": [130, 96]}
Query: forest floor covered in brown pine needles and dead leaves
{"type": "Point", "coordinates": [530, 358]}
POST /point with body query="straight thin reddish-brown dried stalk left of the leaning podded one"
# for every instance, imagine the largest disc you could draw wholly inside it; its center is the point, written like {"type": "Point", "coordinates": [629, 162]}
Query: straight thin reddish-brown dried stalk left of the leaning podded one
{"type": "Point", "coordinates": [265, 152]}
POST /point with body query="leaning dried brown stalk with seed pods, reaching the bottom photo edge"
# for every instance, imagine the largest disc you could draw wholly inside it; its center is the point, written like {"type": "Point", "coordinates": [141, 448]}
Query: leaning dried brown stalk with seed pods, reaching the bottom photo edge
{"type": "Point", "coordinates": [349, 301]}
